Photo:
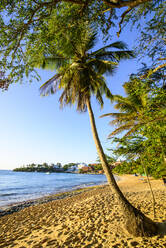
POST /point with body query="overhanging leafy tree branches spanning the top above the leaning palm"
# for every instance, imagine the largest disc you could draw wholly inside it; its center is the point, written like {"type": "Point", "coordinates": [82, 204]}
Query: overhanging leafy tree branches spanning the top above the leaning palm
{"type": "Point", "coordinates": [23, 29]}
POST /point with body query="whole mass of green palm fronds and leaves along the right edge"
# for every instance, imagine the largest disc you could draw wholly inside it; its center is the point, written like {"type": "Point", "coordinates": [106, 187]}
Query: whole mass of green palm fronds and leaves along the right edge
{"type": "Point", "coordinates": [142, 115]}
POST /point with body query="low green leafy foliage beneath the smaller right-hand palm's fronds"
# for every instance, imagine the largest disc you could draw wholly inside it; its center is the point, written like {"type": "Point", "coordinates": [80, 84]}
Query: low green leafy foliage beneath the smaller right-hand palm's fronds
{"type": "Point", "coordinates": [139, 153]}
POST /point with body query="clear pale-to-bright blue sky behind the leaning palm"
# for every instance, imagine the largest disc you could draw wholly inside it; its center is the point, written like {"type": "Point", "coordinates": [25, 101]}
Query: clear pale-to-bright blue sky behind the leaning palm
{"type": "Point", "coordinates": [34, 129]}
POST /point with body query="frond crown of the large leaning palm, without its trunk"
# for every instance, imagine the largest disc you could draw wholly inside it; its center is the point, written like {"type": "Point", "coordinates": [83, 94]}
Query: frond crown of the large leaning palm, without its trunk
{"type": "Point", "coordinates": [80, 73]}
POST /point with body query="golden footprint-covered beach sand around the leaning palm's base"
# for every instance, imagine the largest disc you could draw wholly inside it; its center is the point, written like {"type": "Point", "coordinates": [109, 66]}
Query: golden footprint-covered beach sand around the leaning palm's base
{"type": "Point", "coordinates": [90, 219]}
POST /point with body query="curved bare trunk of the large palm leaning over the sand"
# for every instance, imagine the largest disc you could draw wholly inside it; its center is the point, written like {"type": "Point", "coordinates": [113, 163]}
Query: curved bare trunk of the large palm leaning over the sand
{"type": "Point", "coordinates": [136, 223]}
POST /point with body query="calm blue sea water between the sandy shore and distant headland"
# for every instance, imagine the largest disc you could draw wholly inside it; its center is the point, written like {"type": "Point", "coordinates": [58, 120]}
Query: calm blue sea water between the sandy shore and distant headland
{"type": "Point", "coordinates": [16, 187]}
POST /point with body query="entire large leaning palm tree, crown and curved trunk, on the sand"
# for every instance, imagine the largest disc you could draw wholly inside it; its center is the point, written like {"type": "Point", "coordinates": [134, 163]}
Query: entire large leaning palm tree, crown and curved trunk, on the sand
{"type": "Point", "coordinates": [79, 77]}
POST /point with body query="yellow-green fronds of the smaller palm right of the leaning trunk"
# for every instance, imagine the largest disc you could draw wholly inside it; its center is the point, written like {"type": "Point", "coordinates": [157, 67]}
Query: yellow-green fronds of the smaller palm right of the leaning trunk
{"type": "Point", "coordinates": [137, 109]}
